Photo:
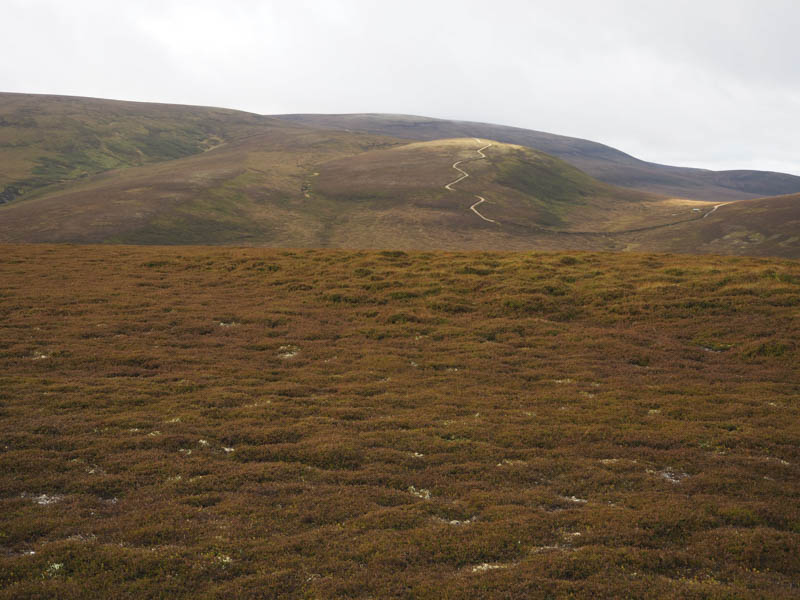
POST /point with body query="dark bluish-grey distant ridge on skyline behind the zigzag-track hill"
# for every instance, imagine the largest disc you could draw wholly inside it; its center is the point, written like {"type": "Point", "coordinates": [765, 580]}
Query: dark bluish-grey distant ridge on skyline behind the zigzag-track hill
{"type": "Point", "coordinates": [603, 162]}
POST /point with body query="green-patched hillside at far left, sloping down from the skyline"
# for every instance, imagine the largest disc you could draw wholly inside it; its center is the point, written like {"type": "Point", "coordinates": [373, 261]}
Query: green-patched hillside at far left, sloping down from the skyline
{"type": "Point", "coordinates": [46, 140]}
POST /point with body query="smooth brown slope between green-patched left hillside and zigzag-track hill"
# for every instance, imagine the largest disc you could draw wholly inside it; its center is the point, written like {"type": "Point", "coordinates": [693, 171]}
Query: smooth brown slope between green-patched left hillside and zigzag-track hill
{"type": "Point", "coordinates": [248, 189]}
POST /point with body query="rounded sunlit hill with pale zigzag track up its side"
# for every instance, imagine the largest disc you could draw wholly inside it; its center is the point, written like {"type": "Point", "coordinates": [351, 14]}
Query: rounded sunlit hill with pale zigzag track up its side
{"type": "Point", "coordinates": [527, 193]}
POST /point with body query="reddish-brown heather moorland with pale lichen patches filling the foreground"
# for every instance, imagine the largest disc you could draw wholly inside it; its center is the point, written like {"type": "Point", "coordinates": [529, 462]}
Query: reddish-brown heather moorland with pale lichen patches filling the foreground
{"type": "Point", "coordinates": [197, 422]}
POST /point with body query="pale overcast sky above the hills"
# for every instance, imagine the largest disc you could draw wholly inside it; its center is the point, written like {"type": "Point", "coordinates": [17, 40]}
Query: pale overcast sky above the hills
{"type": "Point", "coordinates": [704, 83]}
